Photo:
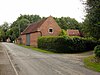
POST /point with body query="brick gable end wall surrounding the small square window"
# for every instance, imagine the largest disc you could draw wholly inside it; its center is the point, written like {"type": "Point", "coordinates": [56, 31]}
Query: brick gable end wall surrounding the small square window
{"type": "Point", "coordinates": [50, 23]}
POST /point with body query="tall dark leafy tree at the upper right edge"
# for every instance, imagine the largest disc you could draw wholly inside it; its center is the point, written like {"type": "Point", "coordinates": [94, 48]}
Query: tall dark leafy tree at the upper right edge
{"type": "Point", "coordinates": [92, 21]}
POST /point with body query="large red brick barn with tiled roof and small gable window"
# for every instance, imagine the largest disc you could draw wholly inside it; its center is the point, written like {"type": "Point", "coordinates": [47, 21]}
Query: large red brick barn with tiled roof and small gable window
{"type": "Point", "coordinates": [45, 27]}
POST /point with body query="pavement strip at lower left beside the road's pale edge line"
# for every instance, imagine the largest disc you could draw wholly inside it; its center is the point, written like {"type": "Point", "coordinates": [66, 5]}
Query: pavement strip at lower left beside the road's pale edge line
{"type": "Point", "coordinates": [5, 65]}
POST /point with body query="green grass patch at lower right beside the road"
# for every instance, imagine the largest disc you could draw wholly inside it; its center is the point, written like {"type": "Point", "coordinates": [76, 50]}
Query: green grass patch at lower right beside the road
{"type": "Point", "coordinates": [89, 63]}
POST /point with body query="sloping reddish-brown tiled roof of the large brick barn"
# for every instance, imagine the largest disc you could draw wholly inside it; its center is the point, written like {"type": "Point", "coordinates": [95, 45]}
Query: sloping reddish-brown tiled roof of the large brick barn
{"type": "Point", "coordinates": [33, 27]}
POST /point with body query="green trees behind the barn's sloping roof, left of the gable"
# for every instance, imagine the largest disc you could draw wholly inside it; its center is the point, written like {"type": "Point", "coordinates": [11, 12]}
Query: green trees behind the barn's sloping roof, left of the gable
{"type": "Point", "coordinates": [20, 24]}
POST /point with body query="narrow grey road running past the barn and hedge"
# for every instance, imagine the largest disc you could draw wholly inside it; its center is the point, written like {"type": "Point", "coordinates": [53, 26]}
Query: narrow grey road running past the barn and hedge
{"type": "Point", "coordinates": [29, 62]}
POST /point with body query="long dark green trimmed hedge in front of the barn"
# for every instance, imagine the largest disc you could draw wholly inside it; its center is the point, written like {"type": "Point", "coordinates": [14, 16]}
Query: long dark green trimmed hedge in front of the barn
{"type": "Point", "coordinates": [63, 44]}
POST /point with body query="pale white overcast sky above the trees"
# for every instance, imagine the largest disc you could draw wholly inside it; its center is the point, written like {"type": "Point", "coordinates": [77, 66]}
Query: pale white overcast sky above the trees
{"type": "Point", "coordinates": [11, 9]}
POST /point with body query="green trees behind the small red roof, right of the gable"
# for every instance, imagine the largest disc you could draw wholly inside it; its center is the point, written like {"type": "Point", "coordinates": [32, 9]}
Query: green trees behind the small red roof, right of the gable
{"type": "Point", "coordinates": [67, 23]}
